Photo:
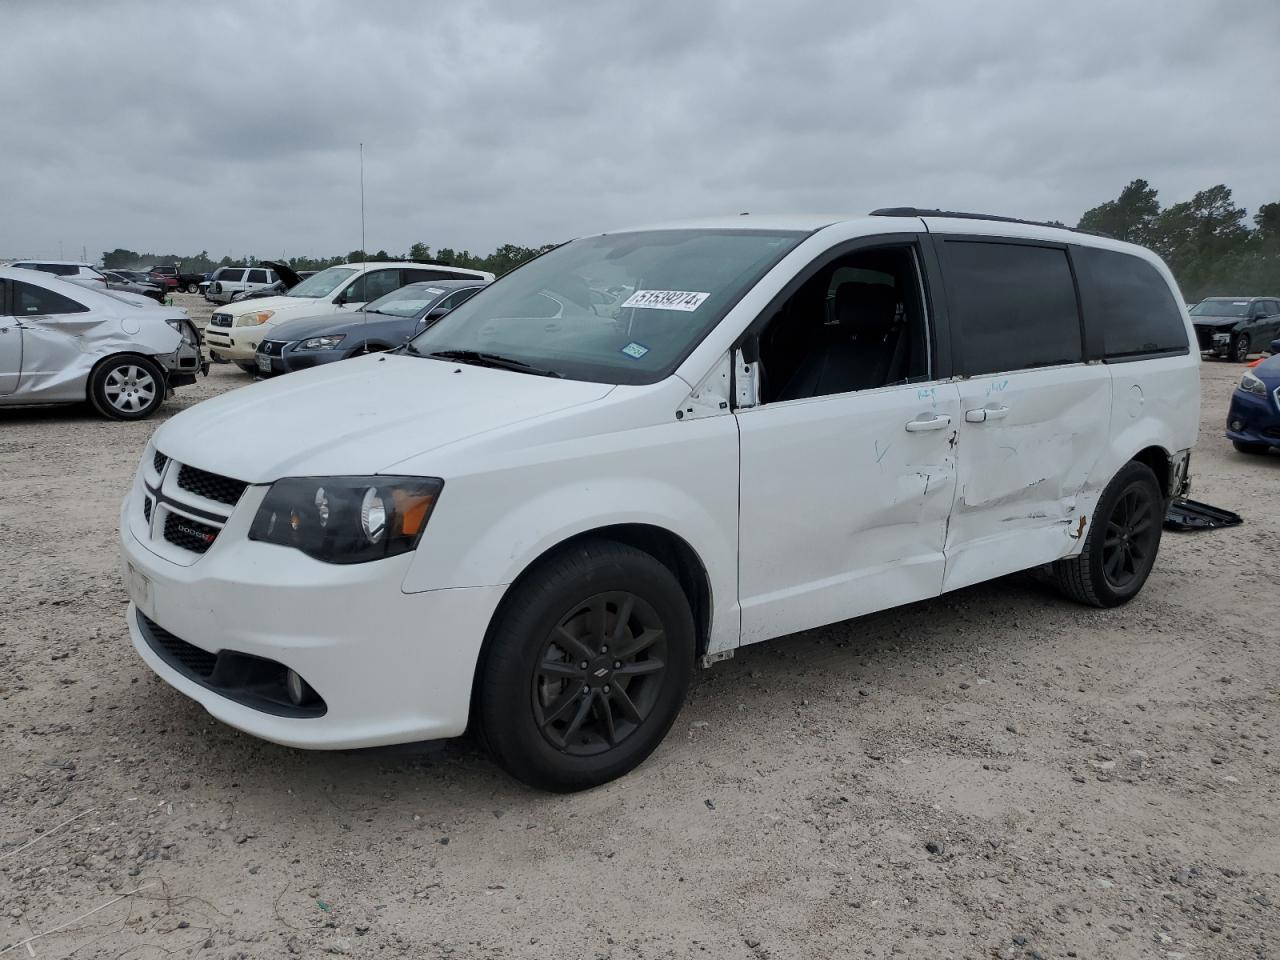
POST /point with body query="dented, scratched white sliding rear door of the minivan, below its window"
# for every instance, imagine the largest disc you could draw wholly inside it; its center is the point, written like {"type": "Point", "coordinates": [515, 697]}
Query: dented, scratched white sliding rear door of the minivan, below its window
{"type": "Point", "coordinates": [1021, 477]}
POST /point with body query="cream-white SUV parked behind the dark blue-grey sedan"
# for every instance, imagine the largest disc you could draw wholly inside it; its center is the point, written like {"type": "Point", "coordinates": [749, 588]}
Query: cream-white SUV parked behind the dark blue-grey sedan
{"type": "Point", "coordinates": [235, 331]}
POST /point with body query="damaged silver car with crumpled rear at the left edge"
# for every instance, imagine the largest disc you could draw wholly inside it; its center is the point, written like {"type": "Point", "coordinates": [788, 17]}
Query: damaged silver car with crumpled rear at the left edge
{"type": "Point", "coordinates": [62, 344]}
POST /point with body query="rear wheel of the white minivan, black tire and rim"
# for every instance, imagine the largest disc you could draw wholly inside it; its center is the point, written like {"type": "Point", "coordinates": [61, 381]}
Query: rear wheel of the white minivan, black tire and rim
{"type": "Point", "coordinates": [1130, 520]}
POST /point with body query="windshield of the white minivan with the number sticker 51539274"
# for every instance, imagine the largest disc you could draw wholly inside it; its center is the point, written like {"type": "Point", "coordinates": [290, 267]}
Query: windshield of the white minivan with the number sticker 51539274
{"type": "Point", "coordinates": [623, 309]}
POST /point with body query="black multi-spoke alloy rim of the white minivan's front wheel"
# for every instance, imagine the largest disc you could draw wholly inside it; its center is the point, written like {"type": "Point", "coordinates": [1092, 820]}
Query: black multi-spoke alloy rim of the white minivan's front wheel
{"type": "Point", "coordinates": [600, 674]}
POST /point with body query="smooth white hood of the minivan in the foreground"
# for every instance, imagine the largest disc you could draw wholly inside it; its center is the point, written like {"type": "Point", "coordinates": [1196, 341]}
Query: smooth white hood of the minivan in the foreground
{"type": "Point", "coordinates": [359, 417]}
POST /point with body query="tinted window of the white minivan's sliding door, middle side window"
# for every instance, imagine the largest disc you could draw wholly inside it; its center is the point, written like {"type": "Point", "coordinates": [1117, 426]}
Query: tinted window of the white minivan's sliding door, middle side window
{"type": "Point", "coordinates": [1013, 307]}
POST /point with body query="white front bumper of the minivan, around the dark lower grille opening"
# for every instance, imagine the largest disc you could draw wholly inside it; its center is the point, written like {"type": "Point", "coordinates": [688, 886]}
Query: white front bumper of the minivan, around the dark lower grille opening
{"type": "Point", "coordinates": [391, 668]}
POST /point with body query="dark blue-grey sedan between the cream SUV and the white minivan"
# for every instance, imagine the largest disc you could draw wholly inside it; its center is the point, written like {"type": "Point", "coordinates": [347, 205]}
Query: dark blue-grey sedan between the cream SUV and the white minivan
{"type": "Point", "coordinates": [386, 323]}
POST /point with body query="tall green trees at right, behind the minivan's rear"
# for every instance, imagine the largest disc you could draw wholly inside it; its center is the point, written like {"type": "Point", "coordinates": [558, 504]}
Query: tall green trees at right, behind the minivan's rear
{"type": "Point", "coordinates": [1209, 243]}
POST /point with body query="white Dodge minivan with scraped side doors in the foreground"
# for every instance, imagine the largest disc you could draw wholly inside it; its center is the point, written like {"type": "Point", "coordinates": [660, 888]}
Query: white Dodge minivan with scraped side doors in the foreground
{"type": "Point", "coordinates": [537, 523]}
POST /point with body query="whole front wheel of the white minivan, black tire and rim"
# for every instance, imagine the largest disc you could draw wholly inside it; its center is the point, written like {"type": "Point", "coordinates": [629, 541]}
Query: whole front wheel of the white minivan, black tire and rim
{"type": "Point", "coordinates": [556, 725]}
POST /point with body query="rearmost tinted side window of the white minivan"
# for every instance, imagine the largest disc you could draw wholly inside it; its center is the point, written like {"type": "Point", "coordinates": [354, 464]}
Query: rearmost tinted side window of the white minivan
{"type": "Point", "coordinates": [1135, 305]}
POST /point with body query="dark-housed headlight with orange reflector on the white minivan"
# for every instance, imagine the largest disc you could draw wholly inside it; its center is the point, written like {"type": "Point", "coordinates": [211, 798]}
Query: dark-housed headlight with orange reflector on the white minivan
{"type": "Point", "coordinates": [348, 519]}
